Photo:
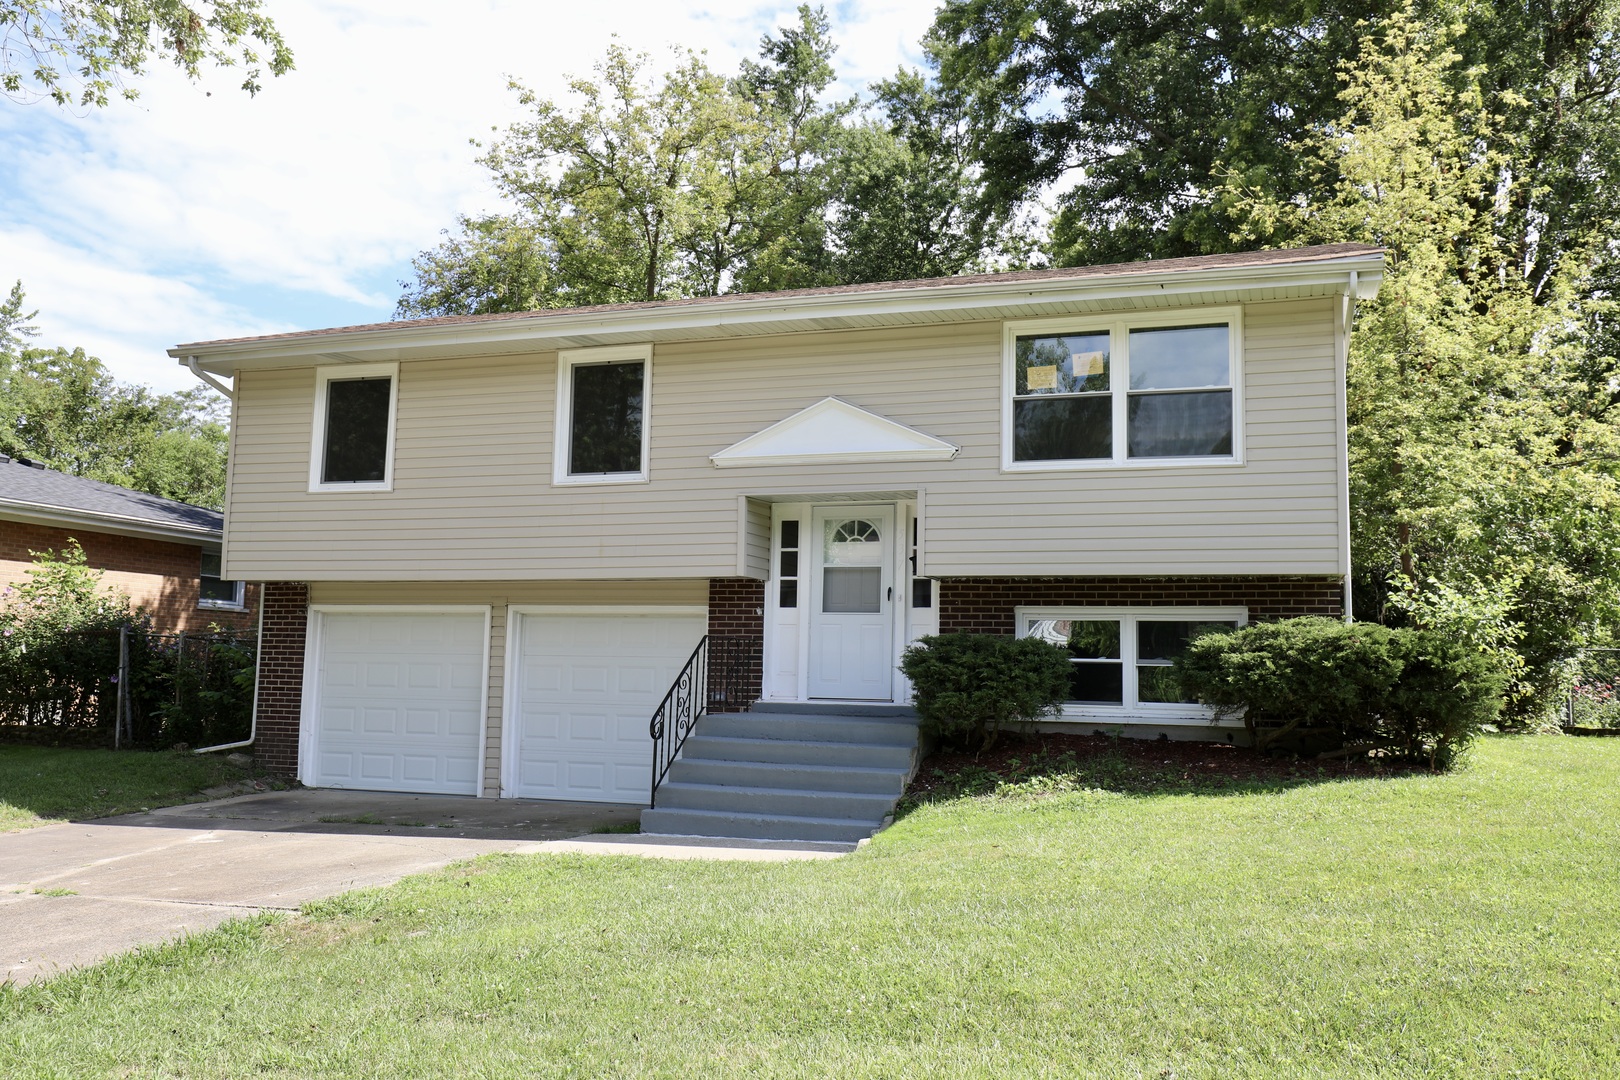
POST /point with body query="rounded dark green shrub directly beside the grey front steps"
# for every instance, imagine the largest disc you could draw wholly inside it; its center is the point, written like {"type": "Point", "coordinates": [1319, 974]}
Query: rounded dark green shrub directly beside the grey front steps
{"type": "Point", "coordinates": [971, 686]}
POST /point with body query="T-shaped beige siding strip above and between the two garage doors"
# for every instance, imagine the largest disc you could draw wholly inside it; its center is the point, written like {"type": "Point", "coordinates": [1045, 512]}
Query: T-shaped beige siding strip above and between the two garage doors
{"type": "Point", "coordinates": [498, 597]}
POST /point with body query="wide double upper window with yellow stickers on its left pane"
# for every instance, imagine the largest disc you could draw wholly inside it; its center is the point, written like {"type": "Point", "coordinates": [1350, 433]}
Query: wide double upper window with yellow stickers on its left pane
{"type": "Point", "coordinates": [1125, 391]}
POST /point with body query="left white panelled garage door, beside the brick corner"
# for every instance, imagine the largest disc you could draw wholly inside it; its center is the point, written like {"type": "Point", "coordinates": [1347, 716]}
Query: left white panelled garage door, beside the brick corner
{"type": "Point", "coordinates": [399, 702]}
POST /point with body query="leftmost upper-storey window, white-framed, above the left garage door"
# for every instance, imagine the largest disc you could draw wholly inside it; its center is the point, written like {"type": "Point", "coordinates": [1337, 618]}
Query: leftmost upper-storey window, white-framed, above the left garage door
{"type": "Point", "coordinates": [354, 428]}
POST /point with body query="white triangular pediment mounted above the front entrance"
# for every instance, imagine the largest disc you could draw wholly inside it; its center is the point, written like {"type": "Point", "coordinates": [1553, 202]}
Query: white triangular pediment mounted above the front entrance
{"type": "Point", "coordinates": [835, 433]}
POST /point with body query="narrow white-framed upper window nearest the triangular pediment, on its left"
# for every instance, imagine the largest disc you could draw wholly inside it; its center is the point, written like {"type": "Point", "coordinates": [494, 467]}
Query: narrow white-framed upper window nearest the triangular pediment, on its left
{"type": "Point", "coordinates": [602, 415]}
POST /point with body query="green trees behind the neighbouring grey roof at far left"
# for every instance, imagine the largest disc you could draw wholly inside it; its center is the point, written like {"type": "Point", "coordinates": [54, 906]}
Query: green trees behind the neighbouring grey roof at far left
{"type": "Point", "coordinates": [66, 410]}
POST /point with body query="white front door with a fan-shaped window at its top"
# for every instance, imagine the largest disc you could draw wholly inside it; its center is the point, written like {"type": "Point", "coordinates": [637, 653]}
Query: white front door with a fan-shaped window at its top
{"type": "Point", "coordinates": [853, 603]}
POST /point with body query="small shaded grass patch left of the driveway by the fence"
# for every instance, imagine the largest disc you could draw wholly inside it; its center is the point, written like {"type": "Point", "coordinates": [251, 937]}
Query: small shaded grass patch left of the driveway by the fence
{"type": "Point", "coordinates": [45, 784]}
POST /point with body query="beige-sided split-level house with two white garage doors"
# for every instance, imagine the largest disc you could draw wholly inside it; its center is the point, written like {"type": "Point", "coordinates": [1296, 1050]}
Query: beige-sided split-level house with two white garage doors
{"type": "Point", "coordinates": [492, 543]}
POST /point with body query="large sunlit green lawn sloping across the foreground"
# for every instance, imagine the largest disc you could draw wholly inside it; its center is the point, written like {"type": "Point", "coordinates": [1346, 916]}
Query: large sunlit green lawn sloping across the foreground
{"type": "Point", "coordinates": [1415, 927]}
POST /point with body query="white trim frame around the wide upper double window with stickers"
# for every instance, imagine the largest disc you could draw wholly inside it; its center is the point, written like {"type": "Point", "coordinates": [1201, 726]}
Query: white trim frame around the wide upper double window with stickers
{"type": "Point", "coordinates": [1119, 330]}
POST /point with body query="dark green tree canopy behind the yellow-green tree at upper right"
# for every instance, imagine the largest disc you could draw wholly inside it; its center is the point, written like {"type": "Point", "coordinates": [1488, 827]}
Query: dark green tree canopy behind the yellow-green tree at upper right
{"type": "Point", "coordinates": [1146, 111]}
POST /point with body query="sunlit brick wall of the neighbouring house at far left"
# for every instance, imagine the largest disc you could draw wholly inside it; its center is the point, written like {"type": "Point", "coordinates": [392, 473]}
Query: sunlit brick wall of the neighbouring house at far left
{"type": "Point", "coordinates": [160, 576]}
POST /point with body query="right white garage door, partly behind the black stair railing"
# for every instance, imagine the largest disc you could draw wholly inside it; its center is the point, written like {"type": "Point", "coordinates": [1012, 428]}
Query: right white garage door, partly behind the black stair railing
{"type": "Point", "coordinates": [587, 687]}
